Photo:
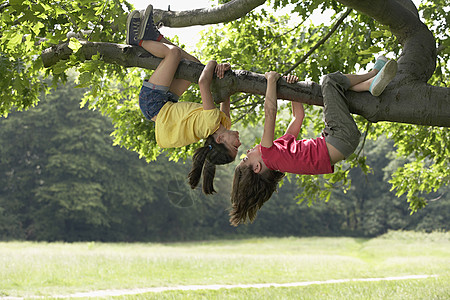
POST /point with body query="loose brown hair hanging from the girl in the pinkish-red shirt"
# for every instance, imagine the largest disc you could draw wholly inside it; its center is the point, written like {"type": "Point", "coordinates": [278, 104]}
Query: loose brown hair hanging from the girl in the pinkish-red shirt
{"type": "Point", "coordinates": [250, 191]}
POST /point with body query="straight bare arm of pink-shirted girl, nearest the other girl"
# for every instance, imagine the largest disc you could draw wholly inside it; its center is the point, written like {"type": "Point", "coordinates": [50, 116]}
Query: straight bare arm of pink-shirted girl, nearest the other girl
{"type": "Point", "coordinates": [270, 109]}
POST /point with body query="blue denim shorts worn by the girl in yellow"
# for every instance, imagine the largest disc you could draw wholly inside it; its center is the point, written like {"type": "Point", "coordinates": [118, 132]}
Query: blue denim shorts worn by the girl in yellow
{"type": "Point", "coordinates": [153, 97]}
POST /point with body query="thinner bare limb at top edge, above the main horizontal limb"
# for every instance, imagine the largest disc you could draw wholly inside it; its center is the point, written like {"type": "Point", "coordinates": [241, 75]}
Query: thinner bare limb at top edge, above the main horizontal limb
{"type": "Point", "coordinates": [224, 13]}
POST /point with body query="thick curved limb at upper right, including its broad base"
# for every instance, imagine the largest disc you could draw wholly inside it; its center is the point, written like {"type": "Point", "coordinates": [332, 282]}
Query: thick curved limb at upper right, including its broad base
{"type": "Point", "coordinates": [408, 98]}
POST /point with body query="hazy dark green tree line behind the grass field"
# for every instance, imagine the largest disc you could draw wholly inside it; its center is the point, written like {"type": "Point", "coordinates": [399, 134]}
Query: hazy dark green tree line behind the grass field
{"type": "Point", "coordinates": [61, 179]}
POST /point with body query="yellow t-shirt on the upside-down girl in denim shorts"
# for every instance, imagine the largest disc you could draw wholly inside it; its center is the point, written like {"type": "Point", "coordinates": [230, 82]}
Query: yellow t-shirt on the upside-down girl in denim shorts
{"type": "Point", "coordinates": [183, 123]}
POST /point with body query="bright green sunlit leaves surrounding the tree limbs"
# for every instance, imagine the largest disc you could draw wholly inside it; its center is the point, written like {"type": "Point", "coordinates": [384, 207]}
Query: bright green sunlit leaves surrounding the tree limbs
{"type": "Point", "coordinates": [258, 42]}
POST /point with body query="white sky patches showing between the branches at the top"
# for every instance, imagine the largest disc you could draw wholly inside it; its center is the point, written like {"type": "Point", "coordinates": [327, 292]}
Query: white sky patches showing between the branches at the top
{"type": "Point", "coordinates": [188, 35]}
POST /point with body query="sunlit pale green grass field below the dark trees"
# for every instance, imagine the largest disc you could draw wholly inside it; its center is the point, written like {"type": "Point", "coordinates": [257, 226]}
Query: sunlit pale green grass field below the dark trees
{"type": "Point", "coordinates": [47, 269]}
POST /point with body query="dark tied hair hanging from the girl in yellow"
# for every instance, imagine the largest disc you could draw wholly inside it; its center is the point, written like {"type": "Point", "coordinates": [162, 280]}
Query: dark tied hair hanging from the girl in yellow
{"type": "Point", "coordinates": [205, 160]}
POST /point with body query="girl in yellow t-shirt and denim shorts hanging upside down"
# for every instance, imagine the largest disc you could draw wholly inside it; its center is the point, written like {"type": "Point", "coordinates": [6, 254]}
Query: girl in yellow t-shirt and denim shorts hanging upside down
{"type": "Point", "coordinates": [182, 123]}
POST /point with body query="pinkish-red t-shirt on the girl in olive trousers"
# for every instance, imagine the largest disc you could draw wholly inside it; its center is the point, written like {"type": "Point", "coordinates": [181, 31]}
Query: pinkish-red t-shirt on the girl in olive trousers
{"type": "Point", "coordinates": [308, 157]}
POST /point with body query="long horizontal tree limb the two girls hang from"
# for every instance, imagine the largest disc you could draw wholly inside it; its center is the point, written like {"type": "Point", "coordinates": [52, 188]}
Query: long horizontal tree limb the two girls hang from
{"type": "Point", "coordinates": [393, 105]}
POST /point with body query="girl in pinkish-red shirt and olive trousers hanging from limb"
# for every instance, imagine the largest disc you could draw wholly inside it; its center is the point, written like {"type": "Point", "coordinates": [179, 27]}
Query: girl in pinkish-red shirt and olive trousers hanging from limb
{"type": "Point", "coordinates": [258, 174]}
